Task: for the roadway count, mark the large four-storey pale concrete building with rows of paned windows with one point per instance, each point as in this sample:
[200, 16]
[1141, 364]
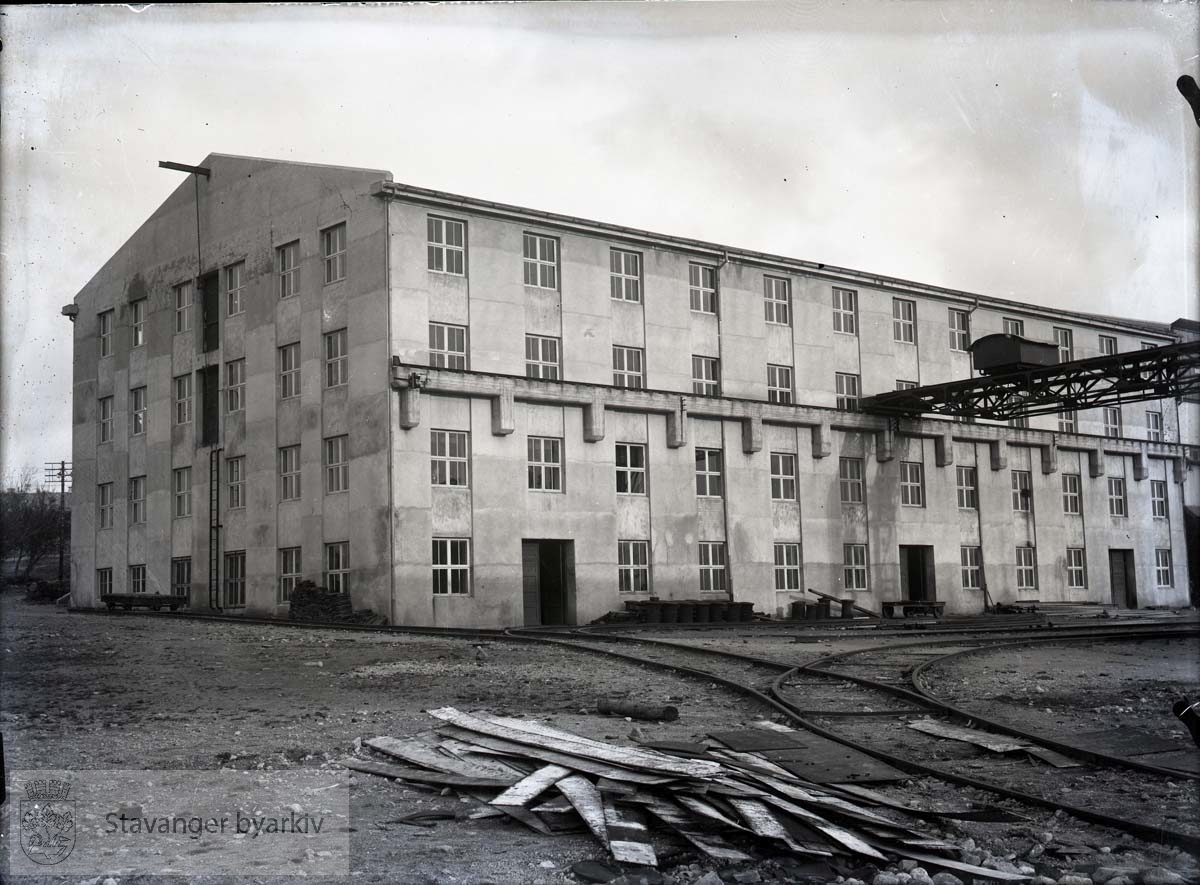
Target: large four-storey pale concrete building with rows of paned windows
[467, 413]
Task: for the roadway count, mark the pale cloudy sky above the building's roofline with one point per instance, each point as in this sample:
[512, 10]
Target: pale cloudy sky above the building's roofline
[1029, 150]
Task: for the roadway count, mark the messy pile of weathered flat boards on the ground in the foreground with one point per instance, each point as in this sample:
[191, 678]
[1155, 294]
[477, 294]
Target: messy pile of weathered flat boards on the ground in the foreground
[729, 804]
